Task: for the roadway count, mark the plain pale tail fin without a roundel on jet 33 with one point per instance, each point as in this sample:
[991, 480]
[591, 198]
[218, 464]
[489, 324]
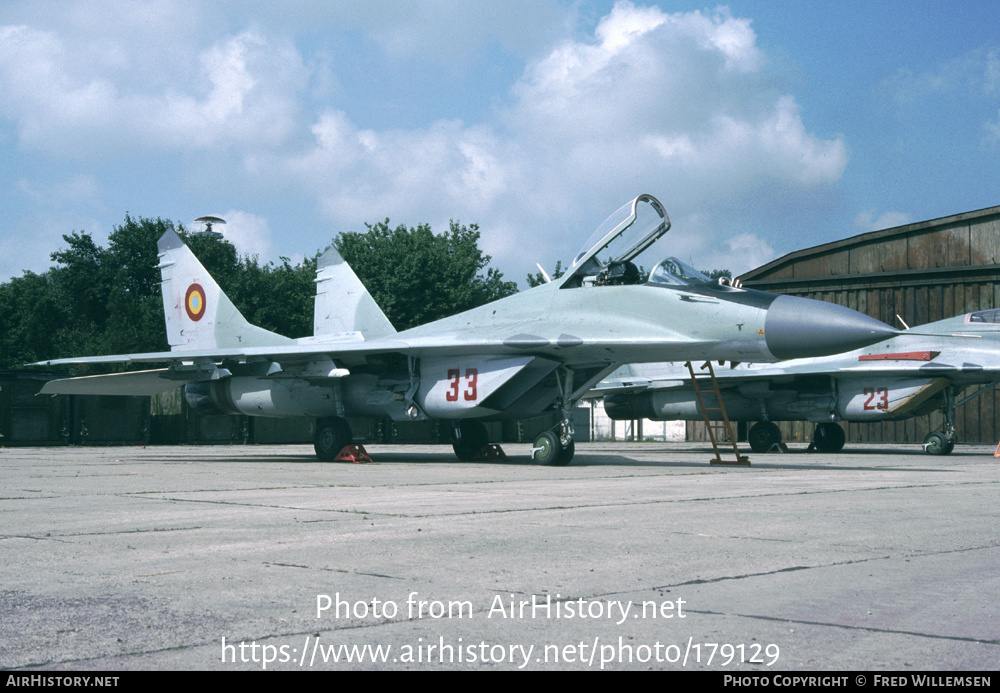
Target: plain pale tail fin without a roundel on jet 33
[343, 304]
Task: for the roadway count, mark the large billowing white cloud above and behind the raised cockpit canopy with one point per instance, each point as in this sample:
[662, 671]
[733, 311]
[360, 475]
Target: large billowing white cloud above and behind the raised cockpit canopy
[673, 104]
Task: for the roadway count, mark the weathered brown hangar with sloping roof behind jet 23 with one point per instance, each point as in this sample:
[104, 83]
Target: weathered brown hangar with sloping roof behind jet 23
[921, 272]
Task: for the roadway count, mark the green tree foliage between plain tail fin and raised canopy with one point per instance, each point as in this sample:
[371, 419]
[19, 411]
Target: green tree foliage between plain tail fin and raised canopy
[417, 276]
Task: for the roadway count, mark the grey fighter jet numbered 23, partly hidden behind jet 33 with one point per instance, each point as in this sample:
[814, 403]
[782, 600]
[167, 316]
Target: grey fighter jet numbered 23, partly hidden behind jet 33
[912, 374]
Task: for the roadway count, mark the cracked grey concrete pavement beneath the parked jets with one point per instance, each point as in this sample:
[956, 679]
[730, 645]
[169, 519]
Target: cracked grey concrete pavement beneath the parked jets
[636, 556]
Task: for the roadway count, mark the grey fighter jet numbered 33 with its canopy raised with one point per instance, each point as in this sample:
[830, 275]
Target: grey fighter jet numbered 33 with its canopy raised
[537, 351]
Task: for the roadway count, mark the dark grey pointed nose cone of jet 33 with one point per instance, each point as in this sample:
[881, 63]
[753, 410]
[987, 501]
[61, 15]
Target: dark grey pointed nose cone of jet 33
[799, 327]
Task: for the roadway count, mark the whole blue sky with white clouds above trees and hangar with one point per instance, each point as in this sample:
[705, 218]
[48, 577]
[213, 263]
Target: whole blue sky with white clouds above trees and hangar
[763, 126]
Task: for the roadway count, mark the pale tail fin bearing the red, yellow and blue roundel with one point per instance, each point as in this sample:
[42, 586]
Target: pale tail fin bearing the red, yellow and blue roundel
[198, 314]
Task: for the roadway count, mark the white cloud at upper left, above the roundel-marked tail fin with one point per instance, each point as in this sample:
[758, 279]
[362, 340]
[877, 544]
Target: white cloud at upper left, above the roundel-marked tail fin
[244, 93]
